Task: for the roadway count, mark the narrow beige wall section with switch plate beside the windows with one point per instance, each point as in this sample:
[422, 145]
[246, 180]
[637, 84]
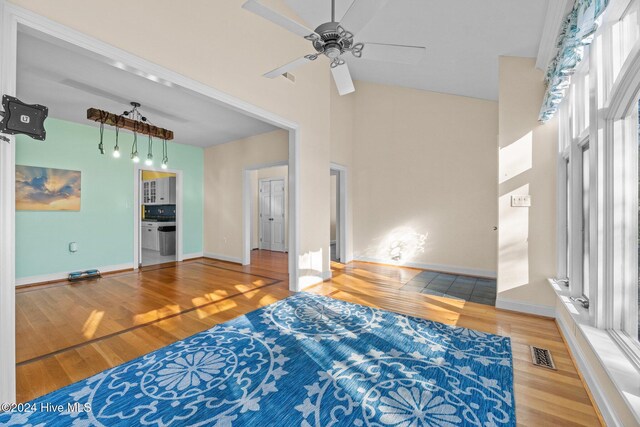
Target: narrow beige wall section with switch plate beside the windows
[528, 150]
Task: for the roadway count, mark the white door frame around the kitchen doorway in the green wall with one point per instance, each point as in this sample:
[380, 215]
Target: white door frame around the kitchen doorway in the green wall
[137, 220]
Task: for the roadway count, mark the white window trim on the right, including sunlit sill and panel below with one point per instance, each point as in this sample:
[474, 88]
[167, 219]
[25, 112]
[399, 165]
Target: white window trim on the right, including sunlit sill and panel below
[612, 134]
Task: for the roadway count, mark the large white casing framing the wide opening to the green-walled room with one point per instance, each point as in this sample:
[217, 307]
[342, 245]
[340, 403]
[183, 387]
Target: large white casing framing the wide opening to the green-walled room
[13, 16]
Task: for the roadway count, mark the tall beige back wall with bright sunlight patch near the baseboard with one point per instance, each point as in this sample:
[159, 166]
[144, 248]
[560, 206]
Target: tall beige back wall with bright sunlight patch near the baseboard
[424, 169]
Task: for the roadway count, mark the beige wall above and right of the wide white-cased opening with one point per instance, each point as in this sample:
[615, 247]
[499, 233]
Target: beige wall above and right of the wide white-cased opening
[198, 47]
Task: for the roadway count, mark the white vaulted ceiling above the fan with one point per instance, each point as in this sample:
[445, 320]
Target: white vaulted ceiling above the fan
[464, 39]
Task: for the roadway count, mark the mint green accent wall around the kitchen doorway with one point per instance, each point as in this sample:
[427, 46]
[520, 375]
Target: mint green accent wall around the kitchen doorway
[103, 228]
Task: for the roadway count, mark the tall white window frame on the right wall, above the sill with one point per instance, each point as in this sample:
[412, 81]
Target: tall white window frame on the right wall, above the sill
[604, 115]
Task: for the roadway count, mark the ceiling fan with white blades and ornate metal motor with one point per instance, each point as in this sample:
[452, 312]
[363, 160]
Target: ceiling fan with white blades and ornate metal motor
[334, 39]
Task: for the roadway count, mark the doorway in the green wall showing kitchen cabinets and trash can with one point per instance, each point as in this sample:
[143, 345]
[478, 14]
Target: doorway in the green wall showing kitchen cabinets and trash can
[157, 227]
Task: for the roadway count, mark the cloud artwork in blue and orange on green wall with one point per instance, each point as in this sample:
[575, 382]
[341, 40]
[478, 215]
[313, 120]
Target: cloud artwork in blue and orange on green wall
[47, 189]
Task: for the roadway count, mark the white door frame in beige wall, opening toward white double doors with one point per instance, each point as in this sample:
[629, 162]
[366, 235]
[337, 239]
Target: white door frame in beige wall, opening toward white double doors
[248, 202]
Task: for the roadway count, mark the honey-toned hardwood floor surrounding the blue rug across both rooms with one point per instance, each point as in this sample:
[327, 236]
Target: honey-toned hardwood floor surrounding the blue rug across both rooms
[67, 332]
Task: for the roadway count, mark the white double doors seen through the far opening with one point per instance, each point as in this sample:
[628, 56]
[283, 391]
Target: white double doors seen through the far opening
[272, 210]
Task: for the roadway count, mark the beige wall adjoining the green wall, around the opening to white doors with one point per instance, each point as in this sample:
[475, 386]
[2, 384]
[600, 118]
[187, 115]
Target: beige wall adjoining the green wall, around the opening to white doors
[224, 166]
